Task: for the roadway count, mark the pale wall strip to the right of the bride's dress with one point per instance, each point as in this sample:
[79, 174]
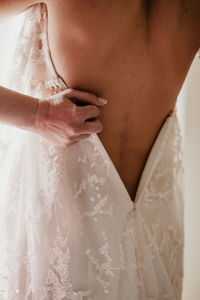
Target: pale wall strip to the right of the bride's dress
[190, 98]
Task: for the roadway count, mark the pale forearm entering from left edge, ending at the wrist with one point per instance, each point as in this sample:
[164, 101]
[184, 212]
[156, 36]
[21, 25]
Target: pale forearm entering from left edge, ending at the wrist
[17, 109]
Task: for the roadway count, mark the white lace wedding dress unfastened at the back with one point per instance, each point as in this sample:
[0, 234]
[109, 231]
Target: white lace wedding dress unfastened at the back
[68, 227]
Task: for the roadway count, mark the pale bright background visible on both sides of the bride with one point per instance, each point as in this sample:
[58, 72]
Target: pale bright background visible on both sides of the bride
[189, 115]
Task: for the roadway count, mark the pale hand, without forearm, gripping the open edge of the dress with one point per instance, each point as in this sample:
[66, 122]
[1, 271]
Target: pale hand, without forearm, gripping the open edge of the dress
[69, 117]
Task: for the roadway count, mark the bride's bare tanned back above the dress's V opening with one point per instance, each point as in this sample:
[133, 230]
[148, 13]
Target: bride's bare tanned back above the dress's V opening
[136, 54]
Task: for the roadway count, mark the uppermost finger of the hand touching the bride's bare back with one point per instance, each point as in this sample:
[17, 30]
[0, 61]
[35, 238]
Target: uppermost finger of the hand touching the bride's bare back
[84, 97]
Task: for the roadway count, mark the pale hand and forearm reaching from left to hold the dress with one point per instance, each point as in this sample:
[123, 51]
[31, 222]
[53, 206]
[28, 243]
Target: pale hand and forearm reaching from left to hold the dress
[57, 119]
